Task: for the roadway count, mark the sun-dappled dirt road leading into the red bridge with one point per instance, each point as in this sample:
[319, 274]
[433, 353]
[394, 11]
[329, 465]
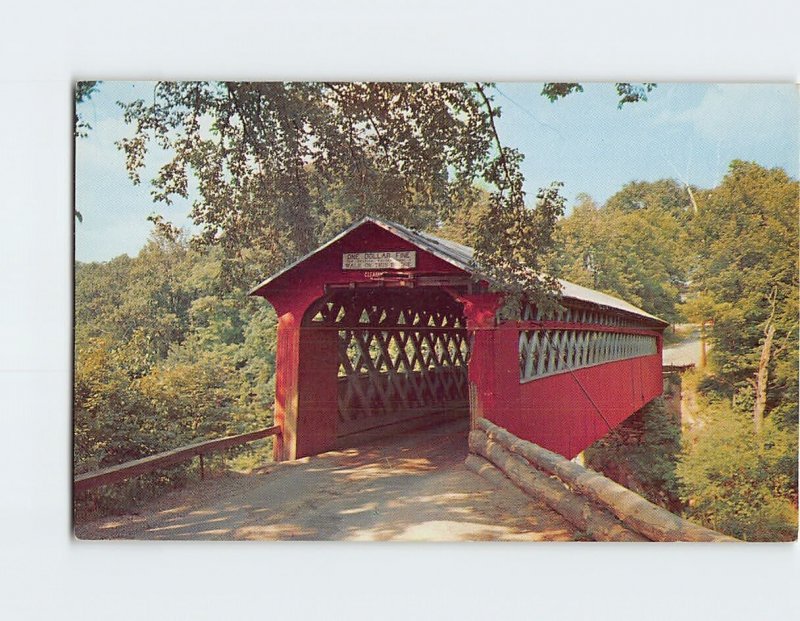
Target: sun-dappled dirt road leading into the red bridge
[411, 487]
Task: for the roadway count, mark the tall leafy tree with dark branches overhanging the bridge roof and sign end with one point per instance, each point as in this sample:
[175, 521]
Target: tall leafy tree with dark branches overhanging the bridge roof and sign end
[278, 163]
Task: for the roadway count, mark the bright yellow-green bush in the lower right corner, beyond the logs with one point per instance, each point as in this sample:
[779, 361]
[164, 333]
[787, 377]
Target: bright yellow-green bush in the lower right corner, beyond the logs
[738, 483]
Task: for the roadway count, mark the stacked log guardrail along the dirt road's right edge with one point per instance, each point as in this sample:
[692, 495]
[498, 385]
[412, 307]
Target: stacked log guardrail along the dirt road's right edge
[603, 509]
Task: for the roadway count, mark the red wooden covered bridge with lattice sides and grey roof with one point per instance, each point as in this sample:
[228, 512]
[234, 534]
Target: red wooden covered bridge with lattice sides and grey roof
[383, 328]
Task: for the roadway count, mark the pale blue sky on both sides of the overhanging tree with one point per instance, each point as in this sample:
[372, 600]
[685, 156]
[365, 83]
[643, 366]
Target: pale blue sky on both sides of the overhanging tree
[689, 132]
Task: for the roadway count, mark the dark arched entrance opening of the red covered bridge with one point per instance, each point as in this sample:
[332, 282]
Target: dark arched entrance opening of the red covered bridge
[401, 357]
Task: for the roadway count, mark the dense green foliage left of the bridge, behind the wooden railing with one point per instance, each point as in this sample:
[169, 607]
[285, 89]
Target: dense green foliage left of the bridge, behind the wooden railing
[166, 354]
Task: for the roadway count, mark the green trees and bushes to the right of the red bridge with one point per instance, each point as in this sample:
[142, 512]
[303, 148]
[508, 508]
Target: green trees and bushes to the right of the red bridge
[727, 256]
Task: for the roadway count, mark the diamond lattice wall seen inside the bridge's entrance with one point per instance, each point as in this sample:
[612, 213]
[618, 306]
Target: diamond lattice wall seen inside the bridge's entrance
[399, 352]
